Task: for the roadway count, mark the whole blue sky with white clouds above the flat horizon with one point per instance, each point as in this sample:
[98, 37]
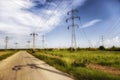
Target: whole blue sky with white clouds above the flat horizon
[20, 18]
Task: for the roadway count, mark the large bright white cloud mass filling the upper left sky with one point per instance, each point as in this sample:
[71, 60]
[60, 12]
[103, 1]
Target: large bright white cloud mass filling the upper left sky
[14, 19]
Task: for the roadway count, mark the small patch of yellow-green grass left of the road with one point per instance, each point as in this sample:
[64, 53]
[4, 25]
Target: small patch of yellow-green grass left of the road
[6, 53]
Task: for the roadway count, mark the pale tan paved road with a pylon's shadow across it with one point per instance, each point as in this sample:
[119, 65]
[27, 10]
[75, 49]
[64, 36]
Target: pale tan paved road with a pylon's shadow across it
[23, 66]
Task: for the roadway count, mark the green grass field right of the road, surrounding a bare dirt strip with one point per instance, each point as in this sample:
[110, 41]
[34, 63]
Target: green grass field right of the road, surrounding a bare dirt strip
[75, 63]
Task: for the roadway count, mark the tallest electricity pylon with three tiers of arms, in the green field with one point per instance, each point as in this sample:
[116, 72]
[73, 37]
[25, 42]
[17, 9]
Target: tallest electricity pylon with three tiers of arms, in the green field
[72, 18]
